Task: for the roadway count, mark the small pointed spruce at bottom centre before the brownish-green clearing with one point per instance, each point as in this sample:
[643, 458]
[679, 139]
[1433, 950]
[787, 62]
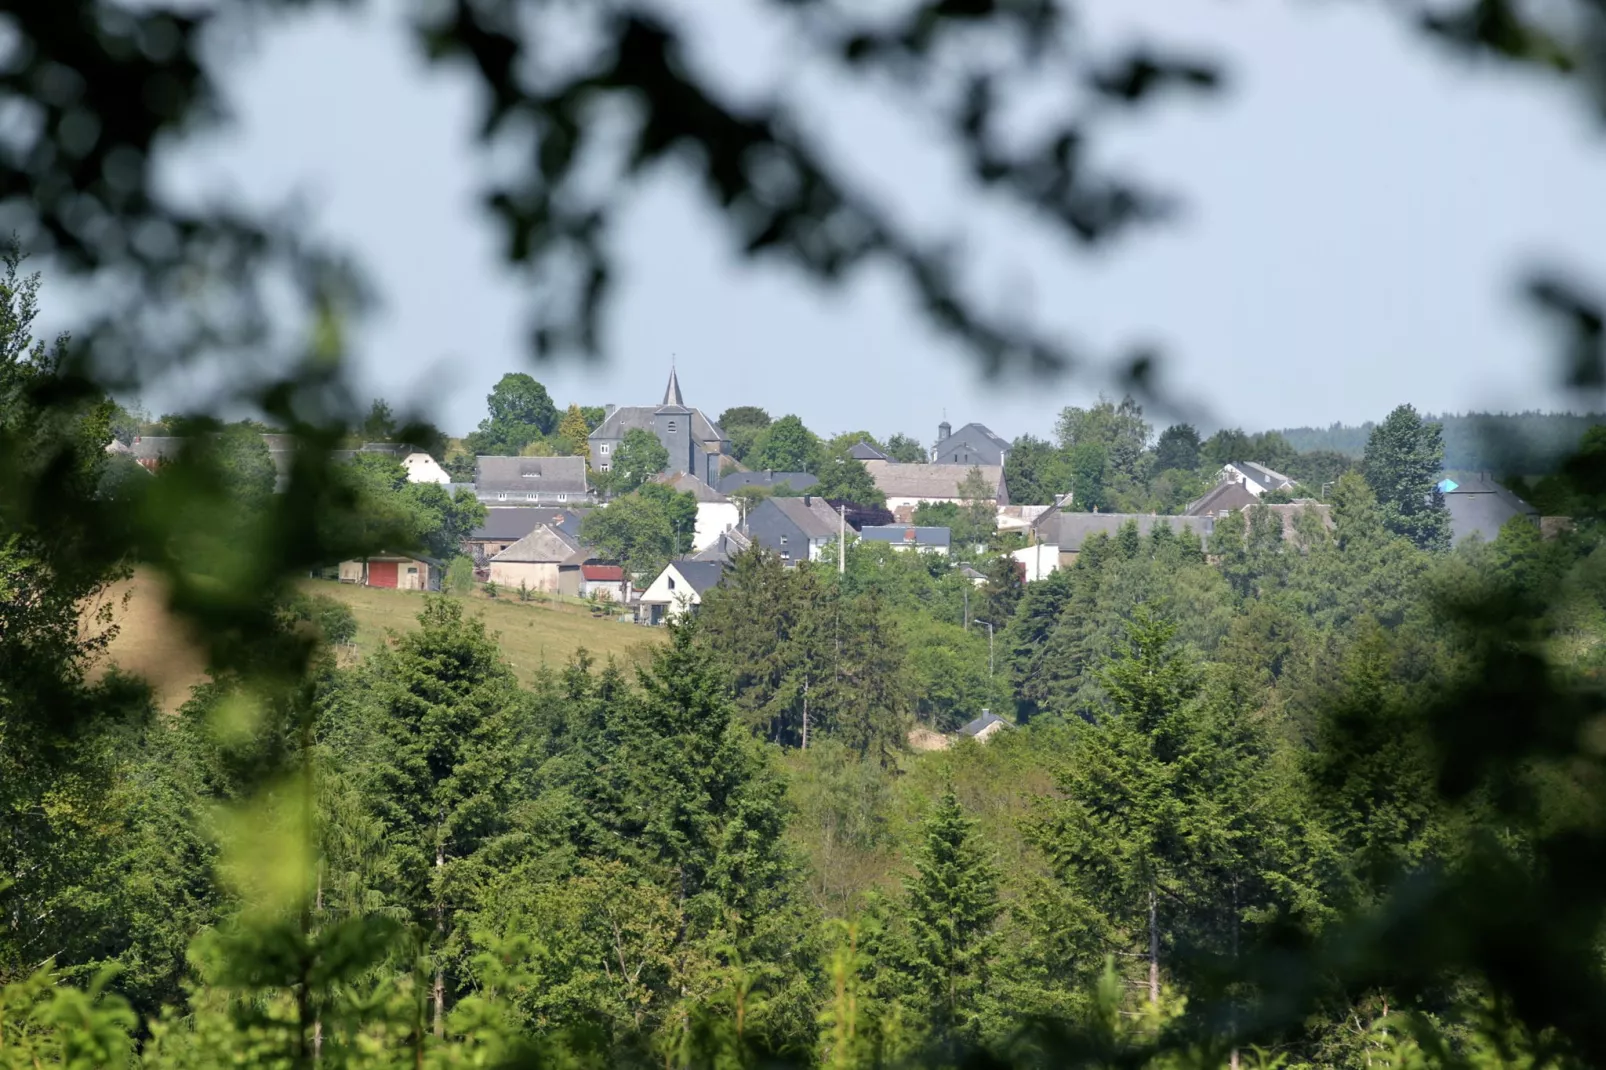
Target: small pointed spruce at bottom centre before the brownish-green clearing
[953, 905]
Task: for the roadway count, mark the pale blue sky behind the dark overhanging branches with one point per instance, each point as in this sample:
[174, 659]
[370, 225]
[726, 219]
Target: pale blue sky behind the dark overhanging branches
[1359, 210]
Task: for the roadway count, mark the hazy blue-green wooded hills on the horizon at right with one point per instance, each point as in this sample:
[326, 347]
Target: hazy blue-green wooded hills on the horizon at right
[1514, 444]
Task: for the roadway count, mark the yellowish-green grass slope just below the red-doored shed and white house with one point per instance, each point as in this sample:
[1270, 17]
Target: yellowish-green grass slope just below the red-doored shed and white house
[531, 635]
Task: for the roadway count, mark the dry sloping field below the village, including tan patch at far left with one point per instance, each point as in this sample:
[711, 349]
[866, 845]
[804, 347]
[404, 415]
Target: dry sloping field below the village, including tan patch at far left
[153, 645]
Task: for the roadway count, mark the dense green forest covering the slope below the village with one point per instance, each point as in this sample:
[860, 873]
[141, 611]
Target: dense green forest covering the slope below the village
[1306, 794]
